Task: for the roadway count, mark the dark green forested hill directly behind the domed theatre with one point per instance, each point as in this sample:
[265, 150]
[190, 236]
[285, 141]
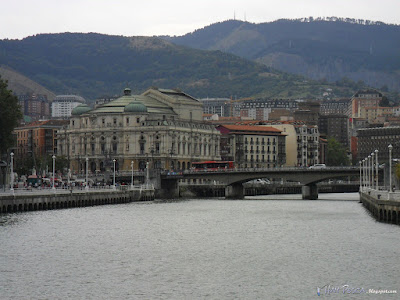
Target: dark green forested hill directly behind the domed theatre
[93, 65]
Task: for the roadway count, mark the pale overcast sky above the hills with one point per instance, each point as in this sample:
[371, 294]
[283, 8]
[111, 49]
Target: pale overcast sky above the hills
[22, 18]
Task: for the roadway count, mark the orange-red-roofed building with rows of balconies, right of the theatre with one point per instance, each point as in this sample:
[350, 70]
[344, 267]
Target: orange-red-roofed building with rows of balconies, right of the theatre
[252, 146]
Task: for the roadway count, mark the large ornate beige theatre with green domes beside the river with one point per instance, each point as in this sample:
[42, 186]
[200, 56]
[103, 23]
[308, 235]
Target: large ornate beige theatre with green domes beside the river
[161, 127]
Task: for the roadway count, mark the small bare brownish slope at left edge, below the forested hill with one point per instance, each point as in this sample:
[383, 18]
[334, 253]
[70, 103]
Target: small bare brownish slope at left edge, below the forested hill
[20, 84]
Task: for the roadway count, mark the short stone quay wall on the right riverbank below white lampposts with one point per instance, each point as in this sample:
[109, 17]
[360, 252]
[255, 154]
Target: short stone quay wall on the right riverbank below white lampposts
[383, 205]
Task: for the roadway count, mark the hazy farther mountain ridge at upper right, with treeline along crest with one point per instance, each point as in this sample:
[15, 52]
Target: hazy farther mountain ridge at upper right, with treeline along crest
[330, 48]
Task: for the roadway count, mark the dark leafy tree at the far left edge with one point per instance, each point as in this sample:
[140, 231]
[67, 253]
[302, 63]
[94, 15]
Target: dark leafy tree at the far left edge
[10, 114]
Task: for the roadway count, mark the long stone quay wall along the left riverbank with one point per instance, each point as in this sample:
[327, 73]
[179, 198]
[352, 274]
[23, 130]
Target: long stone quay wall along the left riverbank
[31, 200]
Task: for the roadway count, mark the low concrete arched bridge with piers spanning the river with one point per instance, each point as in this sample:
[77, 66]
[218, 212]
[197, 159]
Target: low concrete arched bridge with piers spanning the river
[234, 179]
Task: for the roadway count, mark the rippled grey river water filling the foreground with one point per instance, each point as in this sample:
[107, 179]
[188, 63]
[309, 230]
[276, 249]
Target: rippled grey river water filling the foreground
[264, 247]
